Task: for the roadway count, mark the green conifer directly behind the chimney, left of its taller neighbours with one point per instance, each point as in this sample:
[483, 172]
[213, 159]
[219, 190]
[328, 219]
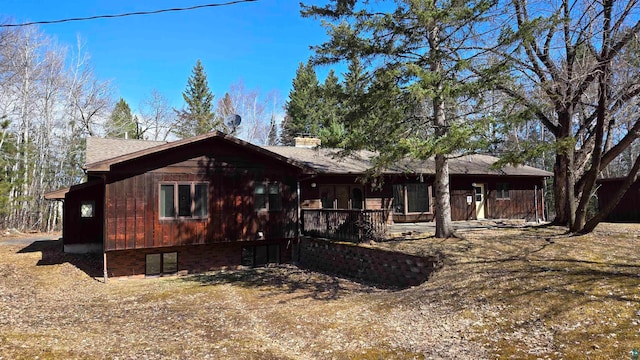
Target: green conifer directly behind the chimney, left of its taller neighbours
[302, 106]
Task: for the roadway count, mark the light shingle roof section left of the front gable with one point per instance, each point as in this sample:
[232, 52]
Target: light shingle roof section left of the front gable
[99, 149]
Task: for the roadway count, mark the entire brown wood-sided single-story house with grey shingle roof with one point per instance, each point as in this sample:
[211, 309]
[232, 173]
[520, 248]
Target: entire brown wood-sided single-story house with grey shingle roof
[215, 201]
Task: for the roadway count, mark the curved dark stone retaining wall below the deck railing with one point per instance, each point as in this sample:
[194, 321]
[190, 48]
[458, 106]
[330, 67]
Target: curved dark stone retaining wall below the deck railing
[381, 267]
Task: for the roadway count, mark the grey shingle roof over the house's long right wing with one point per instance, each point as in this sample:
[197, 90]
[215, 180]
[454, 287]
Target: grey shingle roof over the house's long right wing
[328, 161]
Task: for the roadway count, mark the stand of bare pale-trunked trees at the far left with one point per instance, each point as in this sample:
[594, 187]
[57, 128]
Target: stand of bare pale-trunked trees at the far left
[42, 104]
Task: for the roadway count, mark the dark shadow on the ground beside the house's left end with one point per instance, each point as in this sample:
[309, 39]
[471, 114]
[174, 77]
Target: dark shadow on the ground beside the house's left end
[52, 254]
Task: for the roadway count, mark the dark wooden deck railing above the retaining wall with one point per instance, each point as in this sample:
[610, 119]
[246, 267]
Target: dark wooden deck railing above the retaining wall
[345, 225]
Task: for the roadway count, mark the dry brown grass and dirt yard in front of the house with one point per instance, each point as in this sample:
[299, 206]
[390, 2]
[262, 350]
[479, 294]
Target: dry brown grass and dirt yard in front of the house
[509, 292]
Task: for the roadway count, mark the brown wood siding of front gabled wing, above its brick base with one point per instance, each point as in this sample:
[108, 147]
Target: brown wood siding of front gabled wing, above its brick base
[133, 220]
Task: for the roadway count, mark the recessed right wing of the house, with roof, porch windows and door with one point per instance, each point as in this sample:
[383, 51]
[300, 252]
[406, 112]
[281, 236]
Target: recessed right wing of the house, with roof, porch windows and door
[478, 191]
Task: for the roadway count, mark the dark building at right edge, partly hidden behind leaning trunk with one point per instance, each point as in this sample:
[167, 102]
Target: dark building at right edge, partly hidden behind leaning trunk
[628, 209]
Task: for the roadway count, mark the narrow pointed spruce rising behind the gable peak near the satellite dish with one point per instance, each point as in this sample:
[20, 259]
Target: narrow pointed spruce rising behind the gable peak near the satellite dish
[198, 116]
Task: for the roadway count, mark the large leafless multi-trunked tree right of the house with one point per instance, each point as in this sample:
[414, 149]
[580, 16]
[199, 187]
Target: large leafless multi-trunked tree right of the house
[573, 55]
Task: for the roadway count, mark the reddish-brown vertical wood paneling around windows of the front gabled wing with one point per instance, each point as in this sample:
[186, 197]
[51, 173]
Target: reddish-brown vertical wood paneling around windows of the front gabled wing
[133, 209]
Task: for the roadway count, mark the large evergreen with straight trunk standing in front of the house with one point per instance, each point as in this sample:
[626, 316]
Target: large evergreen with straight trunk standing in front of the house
[423, 49]
